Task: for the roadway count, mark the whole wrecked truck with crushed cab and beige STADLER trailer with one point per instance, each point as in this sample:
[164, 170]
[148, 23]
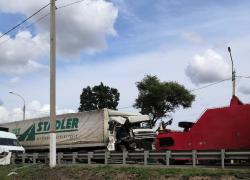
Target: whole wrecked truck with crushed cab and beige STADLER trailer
[90, 130]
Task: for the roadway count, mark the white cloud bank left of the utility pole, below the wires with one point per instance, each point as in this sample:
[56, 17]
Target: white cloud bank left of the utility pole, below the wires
[16, 54]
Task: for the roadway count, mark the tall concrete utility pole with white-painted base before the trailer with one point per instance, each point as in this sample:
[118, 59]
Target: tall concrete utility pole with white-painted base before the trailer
[52, 162]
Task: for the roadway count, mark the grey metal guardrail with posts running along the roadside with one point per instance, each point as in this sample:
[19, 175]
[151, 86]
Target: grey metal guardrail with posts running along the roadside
[193, 155]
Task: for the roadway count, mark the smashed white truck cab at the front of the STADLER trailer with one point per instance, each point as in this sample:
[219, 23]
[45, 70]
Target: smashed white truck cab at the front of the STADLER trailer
[130, 131]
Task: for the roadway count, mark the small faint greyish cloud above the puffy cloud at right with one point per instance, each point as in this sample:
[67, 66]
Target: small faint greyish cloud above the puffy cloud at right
[192, 37]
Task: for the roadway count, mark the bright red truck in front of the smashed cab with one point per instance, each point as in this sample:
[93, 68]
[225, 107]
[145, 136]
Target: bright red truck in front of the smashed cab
[217, 128]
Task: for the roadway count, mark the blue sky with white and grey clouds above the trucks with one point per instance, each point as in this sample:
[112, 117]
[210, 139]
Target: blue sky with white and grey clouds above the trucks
[118, 42]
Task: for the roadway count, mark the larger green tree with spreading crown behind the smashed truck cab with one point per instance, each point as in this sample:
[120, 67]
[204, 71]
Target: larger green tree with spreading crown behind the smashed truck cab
[160, 99]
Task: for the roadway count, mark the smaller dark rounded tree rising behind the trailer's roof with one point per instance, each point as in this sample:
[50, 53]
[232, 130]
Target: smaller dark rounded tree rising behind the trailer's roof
[98, 97]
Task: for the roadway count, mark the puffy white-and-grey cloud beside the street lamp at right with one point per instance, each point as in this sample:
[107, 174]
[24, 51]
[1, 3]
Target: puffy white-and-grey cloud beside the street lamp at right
[208, 68]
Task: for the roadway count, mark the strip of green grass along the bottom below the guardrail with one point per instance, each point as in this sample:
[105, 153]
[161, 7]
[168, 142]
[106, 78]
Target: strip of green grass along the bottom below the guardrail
[108, 172]
